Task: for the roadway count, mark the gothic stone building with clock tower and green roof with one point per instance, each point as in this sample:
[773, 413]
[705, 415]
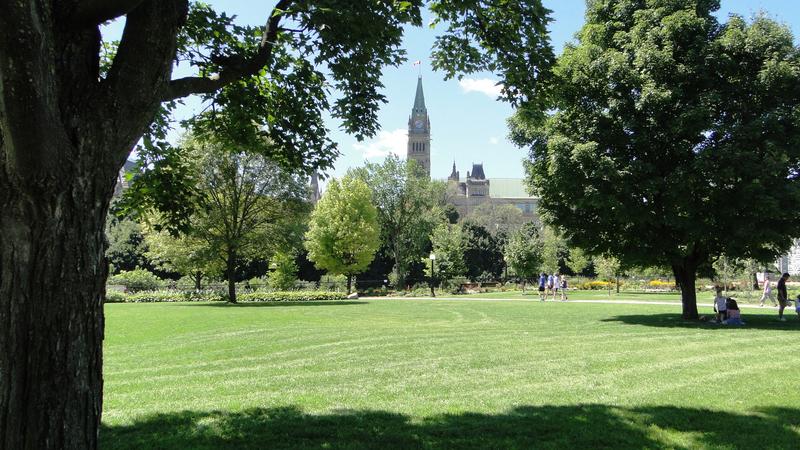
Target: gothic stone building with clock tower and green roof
[473, 190]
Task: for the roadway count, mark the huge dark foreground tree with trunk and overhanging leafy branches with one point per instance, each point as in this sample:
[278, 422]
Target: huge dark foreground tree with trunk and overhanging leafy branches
[72, 108]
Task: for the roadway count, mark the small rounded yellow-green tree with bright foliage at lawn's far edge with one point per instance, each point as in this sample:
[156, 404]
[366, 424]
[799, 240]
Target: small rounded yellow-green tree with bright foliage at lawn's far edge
[343, 233]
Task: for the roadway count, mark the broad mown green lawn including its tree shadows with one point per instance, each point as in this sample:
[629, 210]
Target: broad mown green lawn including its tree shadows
[445, 374]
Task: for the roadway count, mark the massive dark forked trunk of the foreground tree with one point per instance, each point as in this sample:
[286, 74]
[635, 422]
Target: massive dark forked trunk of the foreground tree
[65, 131]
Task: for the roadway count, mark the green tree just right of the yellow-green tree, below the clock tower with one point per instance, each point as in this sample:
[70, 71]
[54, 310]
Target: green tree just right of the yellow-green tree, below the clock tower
[409, 207]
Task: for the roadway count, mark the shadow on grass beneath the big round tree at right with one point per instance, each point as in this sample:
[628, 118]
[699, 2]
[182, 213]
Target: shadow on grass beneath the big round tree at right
[758, 322]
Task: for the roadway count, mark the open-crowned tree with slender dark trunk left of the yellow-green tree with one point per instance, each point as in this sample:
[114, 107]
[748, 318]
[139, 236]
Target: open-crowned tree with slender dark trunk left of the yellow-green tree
[249, 207]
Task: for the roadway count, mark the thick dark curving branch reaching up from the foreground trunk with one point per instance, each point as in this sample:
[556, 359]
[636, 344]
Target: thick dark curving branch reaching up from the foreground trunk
[183, 87]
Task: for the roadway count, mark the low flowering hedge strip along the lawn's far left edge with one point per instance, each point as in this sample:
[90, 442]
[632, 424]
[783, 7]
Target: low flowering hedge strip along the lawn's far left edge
[211, 296]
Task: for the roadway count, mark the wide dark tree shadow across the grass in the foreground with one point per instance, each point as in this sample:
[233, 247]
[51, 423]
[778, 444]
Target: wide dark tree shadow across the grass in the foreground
[580, 426]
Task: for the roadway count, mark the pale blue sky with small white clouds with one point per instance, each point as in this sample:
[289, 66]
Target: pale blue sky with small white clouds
[467, 124]
